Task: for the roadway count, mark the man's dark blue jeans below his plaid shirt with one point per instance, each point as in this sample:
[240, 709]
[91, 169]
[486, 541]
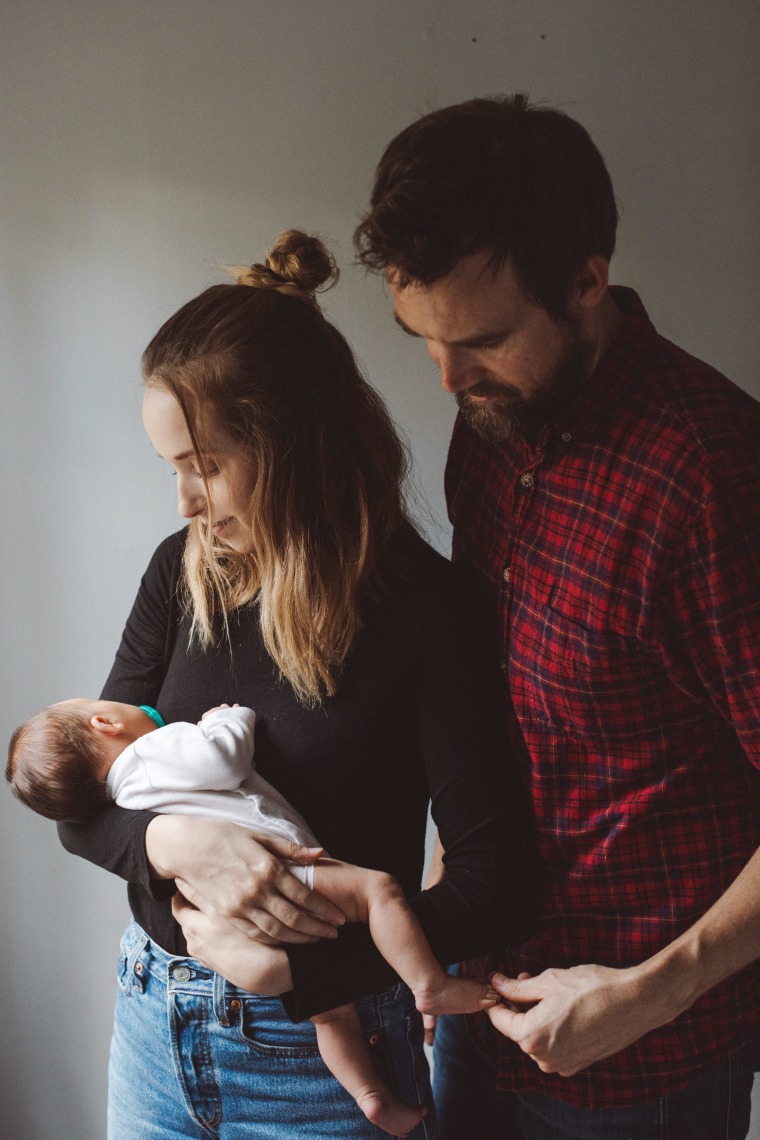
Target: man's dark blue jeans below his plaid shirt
[716, 1106]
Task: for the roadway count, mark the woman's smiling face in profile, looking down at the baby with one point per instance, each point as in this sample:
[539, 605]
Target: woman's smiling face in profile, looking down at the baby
[231, 474]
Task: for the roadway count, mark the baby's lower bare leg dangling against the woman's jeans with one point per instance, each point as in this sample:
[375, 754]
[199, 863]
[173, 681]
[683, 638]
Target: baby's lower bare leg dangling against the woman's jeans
[344, 1051]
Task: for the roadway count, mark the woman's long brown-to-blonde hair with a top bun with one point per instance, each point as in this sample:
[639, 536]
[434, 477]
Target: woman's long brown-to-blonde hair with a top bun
[269, 373]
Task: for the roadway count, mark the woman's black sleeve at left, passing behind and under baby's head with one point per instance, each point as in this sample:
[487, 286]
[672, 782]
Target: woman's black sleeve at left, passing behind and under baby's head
[116, 838]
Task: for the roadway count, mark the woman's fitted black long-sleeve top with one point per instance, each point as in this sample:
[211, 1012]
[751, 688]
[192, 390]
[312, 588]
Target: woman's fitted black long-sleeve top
[420, 715]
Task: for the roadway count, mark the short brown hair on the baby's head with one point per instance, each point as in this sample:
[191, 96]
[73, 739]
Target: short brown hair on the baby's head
[53, 767]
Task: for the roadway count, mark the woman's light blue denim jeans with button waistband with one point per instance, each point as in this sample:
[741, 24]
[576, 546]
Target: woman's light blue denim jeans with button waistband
[194, 1057]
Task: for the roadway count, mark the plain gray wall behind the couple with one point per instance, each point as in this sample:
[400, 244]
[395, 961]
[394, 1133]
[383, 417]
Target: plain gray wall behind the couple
[146, 143]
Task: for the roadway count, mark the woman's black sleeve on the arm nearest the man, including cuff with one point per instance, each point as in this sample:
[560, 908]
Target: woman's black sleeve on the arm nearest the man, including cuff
[491, 892]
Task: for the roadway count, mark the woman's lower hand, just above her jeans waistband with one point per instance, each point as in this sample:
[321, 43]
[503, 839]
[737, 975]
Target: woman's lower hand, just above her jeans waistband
[220, 947]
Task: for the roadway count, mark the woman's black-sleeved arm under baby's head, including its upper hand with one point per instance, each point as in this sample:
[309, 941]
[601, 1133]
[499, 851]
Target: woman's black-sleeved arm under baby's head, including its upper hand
[224, 870]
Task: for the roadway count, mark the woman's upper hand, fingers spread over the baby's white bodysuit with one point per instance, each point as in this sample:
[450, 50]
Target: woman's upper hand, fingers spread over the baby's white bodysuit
[231, 874]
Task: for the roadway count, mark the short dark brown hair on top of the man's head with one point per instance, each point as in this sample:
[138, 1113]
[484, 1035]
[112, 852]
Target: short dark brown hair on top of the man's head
[524, 182]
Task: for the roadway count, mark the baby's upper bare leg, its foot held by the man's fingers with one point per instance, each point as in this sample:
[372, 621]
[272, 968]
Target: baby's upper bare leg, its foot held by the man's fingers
[375, 898]
